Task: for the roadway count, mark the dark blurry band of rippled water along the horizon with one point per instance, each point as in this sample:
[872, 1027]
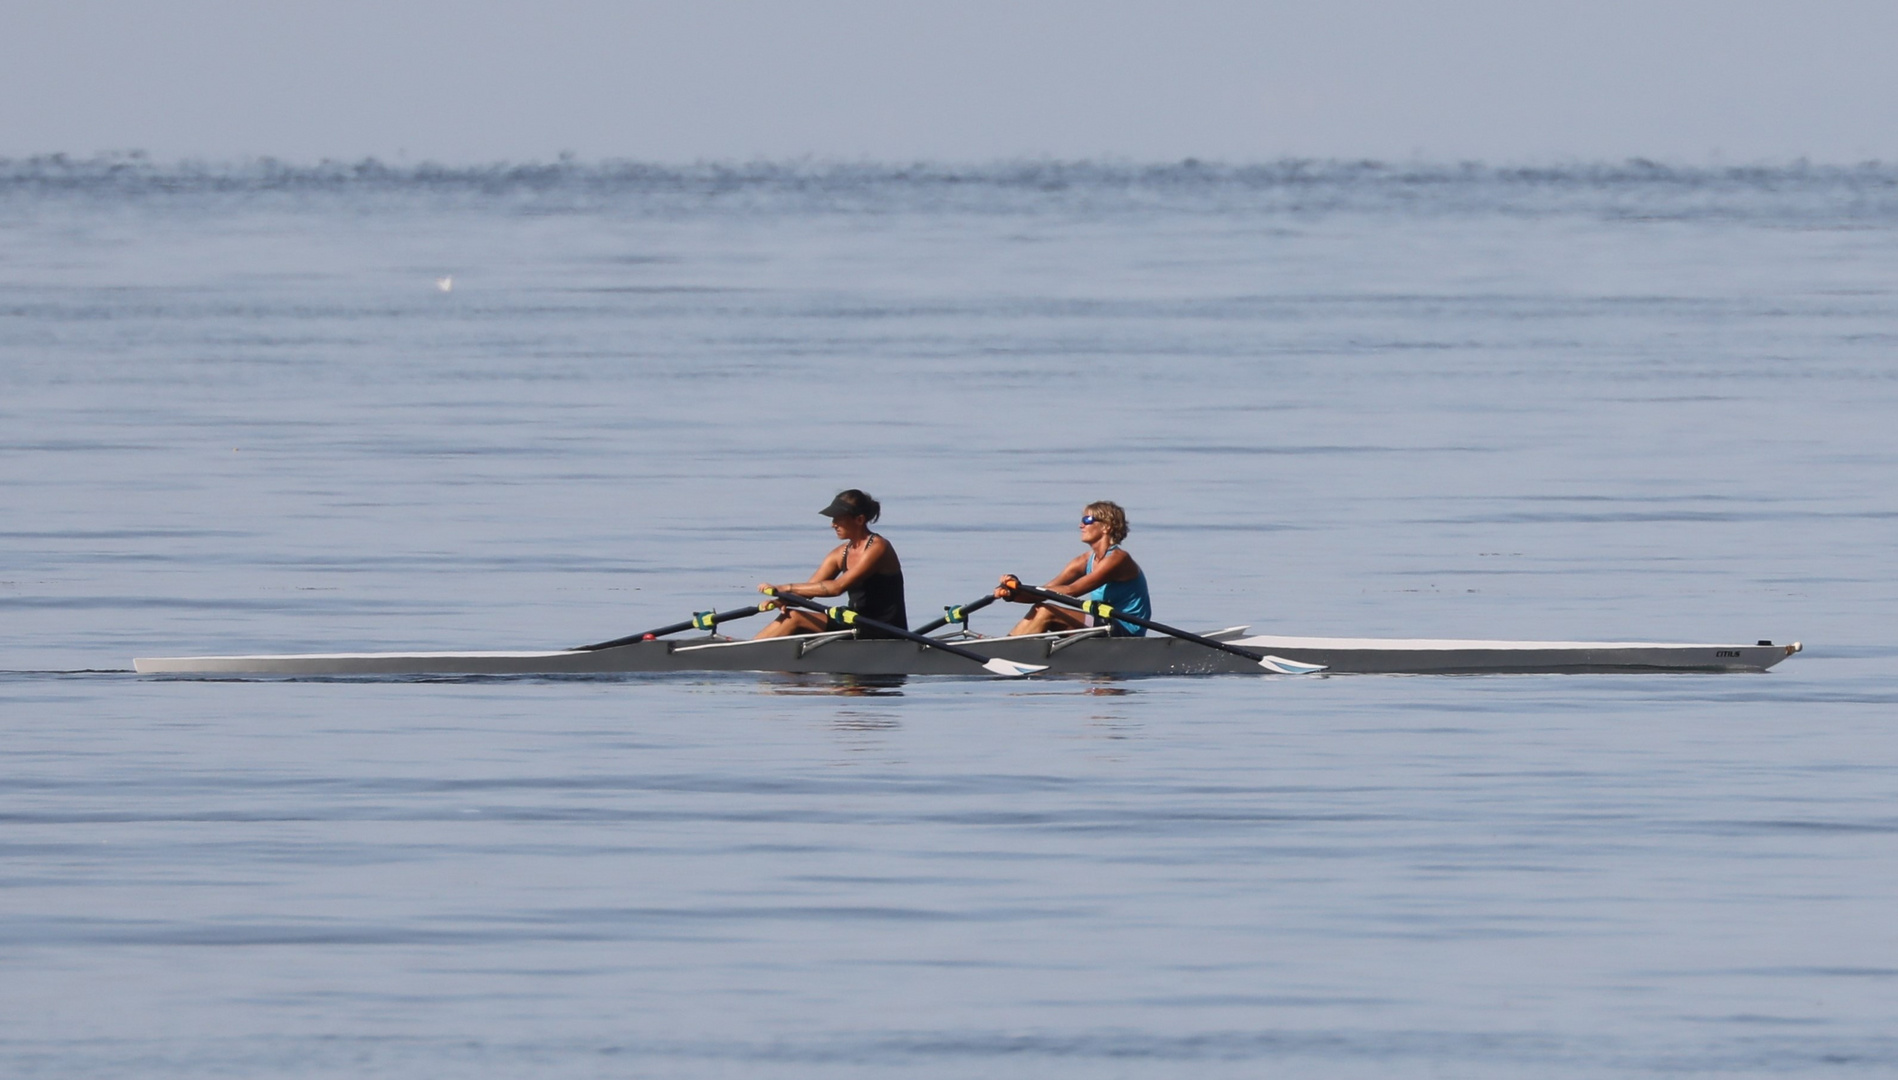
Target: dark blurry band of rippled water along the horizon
[1305, 183]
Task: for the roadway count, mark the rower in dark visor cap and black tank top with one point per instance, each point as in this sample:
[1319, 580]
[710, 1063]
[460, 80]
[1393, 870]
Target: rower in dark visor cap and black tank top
[865, 567]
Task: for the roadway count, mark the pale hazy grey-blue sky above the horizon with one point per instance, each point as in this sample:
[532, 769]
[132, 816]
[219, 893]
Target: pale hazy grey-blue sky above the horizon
[479, 81]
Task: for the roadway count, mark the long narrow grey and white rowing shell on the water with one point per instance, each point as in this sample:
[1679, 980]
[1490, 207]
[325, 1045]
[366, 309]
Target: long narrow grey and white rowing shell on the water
[1064, 654]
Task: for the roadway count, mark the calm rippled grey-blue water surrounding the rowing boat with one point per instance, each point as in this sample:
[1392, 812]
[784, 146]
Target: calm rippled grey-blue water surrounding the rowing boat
[240, 415]
